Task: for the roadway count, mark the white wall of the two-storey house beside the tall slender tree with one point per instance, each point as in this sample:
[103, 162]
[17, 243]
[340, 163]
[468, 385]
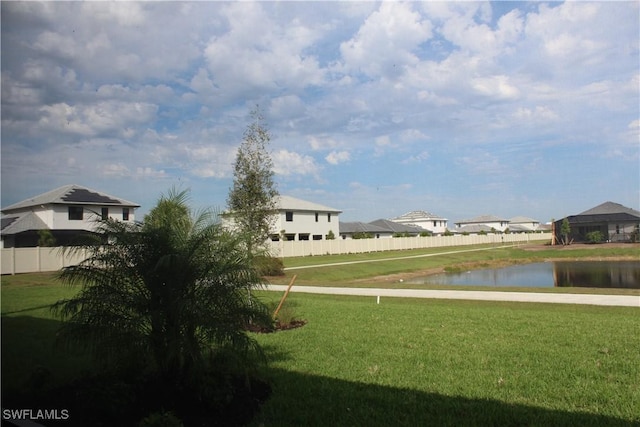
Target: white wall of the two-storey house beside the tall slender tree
[304, 224]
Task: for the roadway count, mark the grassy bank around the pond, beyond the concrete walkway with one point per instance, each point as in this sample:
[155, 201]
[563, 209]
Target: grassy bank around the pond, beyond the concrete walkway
[372, 268]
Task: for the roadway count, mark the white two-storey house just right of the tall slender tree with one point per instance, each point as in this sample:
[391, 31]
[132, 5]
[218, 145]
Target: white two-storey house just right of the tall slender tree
[302, 220]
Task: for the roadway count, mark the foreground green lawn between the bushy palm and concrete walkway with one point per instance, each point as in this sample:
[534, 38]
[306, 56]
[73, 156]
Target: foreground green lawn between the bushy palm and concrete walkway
[410, 362]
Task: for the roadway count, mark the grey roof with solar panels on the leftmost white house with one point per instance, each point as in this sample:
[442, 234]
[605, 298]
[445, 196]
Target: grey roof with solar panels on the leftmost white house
[69, 195]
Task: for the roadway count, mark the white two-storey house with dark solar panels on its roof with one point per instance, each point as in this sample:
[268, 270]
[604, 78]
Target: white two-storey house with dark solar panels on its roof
[66, 212]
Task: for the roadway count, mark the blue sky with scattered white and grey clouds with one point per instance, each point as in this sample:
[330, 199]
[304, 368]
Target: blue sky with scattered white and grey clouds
[460, 109]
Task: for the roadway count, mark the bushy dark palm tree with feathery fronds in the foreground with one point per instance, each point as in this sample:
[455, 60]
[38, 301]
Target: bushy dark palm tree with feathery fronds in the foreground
[169, 297]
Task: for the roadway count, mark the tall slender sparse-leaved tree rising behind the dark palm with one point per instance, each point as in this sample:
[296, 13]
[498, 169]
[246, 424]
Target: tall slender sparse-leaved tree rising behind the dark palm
[252, 199]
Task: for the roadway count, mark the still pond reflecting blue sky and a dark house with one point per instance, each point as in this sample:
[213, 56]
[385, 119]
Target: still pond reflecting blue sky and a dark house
[591, 274]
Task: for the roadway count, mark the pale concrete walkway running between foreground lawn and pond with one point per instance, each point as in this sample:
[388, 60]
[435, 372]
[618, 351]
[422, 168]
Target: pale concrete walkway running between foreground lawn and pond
[588, 299]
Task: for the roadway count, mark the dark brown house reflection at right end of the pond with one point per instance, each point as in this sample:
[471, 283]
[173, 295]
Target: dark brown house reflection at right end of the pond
[622, 274]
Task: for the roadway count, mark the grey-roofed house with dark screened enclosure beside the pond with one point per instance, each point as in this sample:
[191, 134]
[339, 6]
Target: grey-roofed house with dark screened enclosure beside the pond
[616, 222]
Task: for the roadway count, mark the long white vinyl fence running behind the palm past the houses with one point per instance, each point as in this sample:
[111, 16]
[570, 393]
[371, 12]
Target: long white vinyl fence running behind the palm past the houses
[33, 260]
